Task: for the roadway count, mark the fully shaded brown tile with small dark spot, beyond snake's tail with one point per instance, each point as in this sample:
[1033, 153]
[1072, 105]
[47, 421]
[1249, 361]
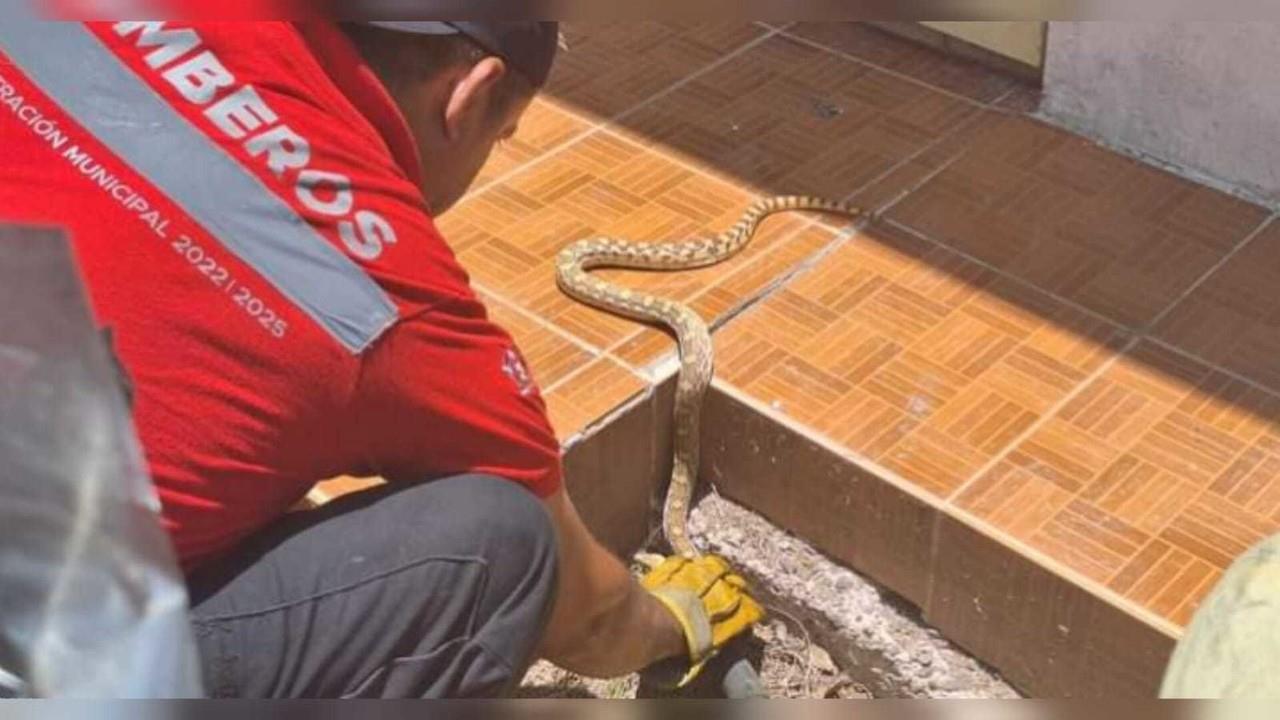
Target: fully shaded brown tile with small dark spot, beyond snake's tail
[789, 119]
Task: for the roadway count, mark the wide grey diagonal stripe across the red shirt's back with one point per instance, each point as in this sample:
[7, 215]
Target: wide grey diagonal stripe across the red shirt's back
[127, 116]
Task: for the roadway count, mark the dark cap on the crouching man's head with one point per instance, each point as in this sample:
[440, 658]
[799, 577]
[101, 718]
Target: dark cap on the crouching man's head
[531, 48]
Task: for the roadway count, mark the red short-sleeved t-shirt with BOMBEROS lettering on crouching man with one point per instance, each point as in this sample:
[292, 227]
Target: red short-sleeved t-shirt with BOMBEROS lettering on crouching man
[244, 203]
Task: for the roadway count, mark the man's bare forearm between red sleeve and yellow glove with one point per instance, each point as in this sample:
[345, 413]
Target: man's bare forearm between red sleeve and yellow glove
[605, 625]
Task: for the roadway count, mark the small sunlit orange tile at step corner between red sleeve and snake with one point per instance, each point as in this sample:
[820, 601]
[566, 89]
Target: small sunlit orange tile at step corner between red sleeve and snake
[589, 397]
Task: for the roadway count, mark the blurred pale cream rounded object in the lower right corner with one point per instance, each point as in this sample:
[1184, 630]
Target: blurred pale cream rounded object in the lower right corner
[1232, 649]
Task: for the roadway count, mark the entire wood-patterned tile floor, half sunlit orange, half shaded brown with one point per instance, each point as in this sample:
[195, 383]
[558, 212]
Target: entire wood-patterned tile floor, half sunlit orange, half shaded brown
[1071, 348]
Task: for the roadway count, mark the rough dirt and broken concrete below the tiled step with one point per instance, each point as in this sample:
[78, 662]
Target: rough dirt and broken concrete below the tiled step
[831, 634]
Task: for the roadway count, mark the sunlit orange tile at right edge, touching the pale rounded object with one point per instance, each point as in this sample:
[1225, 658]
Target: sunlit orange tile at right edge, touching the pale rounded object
[1154, 479]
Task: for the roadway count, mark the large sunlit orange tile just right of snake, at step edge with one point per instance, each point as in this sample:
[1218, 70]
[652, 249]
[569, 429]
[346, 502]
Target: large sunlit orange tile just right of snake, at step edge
[912, 357]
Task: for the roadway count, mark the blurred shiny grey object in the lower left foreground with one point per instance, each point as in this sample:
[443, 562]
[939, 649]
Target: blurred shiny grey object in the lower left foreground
[92, 600]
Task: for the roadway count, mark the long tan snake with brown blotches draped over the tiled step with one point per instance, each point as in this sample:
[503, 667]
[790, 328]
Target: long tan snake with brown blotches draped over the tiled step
[694, 340]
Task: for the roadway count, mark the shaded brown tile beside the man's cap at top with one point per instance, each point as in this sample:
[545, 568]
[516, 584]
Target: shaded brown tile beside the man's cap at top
[612, 67]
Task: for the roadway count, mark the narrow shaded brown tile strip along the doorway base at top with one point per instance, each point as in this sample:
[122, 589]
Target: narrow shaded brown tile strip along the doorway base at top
[913, 60]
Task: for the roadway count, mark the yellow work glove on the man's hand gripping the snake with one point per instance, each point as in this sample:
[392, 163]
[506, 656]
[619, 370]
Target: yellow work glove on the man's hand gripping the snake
[710, 601]
